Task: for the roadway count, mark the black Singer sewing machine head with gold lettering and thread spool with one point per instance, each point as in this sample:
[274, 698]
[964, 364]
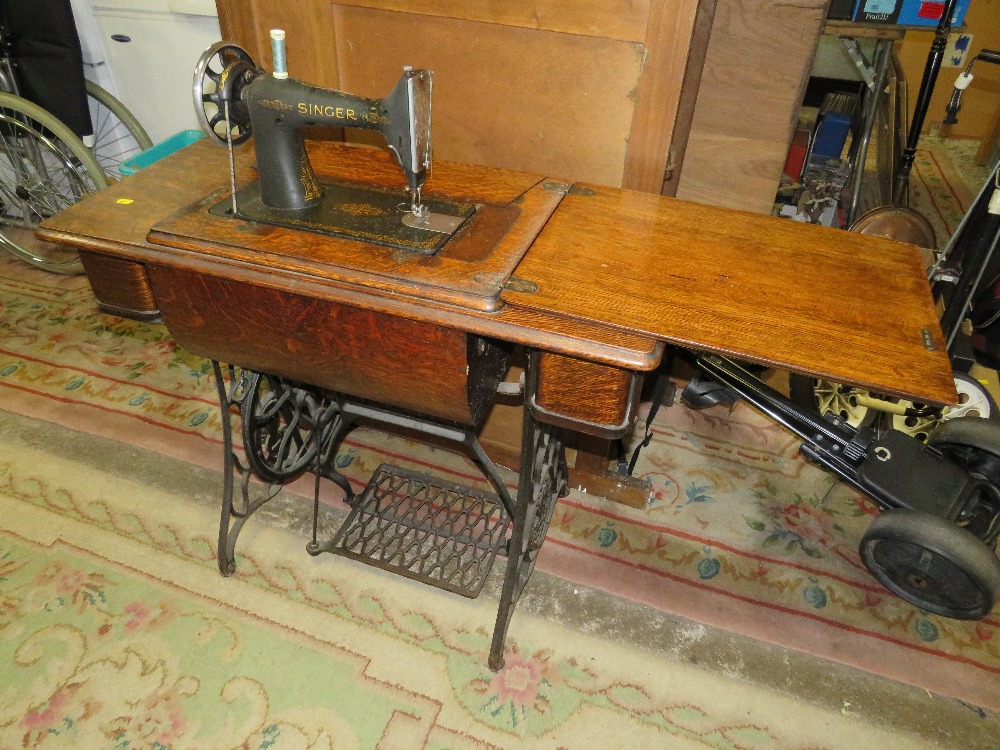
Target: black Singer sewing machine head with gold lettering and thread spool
[235, 99]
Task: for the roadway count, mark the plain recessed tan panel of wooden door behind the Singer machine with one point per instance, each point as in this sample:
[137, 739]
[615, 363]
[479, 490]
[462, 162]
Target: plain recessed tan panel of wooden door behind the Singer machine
[506, 96]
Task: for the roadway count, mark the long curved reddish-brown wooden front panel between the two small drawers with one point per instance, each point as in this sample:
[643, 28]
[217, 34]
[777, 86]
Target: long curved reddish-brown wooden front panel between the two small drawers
[432, 370]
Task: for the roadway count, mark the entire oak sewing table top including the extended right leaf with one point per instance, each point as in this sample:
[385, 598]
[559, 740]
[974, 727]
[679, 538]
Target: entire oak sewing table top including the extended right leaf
[599, 273]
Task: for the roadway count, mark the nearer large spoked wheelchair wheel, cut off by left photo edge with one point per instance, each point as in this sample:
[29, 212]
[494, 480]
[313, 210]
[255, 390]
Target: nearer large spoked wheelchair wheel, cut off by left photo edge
[44, 168]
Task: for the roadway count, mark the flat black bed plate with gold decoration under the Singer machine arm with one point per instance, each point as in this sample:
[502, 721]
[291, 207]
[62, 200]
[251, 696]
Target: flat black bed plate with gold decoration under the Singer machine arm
[356, 212]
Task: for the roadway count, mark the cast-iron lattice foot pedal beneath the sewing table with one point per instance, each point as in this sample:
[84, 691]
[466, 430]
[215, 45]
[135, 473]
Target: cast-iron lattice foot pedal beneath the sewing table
[415, 525]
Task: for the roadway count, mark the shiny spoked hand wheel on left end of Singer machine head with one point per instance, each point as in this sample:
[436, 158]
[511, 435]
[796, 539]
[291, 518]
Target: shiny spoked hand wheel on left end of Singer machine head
[221, 72]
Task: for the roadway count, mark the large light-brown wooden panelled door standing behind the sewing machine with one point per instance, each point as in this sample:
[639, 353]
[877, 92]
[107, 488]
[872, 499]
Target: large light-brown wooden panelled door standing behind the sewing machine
[585, 89]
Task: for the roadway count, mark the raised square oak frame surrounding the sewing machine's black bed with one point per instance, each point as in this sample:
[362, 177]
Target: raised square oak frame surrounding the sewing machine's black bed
[469, 271]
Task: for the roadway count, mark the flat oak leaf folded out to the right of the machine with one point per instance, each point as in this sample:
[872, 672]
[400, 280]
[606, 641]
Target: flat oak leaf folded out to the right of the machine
[848, 307]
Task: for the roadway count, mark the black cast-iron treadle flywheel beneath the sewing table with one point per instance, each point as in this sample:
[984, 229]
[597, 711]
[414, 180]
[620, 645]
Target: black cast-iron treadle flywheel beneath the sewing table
[282, 428]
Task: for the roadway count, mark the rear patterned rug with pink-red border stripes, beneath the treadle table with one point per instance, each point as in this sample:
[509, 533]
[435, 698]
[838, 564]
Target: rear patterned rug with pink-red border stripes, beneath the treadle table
[741, 533]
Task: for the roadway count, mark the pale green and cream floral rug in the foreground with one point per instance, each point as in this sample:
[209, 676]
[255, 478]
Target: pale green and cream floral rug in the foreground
[116, 631]
